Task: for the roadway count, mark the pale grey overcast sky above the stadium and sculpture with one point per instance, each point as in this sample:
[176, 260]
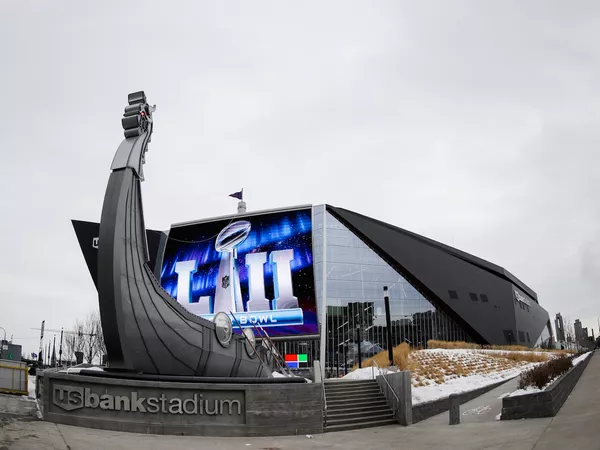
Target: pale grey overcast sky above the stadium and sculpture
[473, 123]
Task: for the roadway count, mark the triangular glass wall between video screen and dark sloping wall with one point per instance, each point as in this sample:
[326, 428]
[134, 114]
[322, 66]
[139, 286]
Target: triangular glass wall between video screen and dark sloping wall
[355, 313]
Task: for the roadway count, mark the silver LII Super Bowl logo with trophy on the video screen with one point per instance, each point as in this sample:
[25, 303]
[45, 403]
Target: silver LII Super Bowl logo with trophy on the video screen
[283, 309]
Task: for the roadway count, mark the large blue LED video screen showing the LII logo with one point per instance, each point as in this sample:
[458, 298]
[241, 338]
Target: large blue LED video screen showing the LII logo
[257, 269]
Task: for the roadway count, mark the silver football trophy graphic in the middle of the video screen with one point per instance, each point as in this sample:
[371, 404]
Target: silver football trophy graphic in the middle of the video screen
[228, 296]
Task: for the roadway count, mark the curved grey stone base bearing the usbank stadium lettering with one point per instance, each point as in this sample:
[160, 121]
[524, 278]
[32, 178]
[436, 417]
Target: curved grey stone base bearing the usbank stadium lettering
[159, 407]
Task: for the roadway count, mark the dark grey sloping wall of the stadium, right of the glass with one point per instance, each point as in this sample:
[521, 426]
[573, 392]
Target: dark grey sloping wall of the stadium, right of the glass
[435, 270]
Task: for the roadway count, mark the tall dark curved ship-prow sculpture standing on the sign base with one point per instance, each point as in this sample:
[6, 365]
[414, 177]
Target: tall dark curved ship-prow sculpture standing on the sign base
[145, 329]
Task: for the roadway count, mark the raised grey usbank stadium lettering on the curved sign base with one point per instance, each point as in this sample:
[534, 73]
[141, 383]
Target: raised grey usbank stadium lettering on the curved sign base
[71, 398]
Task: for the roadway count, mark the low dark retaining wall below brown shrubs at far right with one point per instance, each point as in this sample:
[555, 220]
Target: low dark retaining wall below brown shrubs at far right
[545, 403]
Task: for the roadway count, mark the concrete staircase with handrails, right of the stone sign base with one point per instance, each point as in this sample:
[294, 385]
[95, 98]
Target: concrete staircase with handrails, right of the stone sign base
[355, 404]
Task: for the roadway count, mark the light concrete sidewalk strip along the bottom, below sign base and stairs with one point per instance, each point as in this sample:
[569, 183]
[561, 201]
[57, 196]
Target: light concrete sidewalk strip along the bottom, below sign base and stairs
[519, 435]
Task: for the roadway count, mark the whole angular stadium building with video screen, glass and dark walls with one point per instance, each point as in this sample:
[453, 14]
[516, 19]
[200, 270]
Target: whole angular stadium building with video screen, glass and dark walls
[313, 276]
